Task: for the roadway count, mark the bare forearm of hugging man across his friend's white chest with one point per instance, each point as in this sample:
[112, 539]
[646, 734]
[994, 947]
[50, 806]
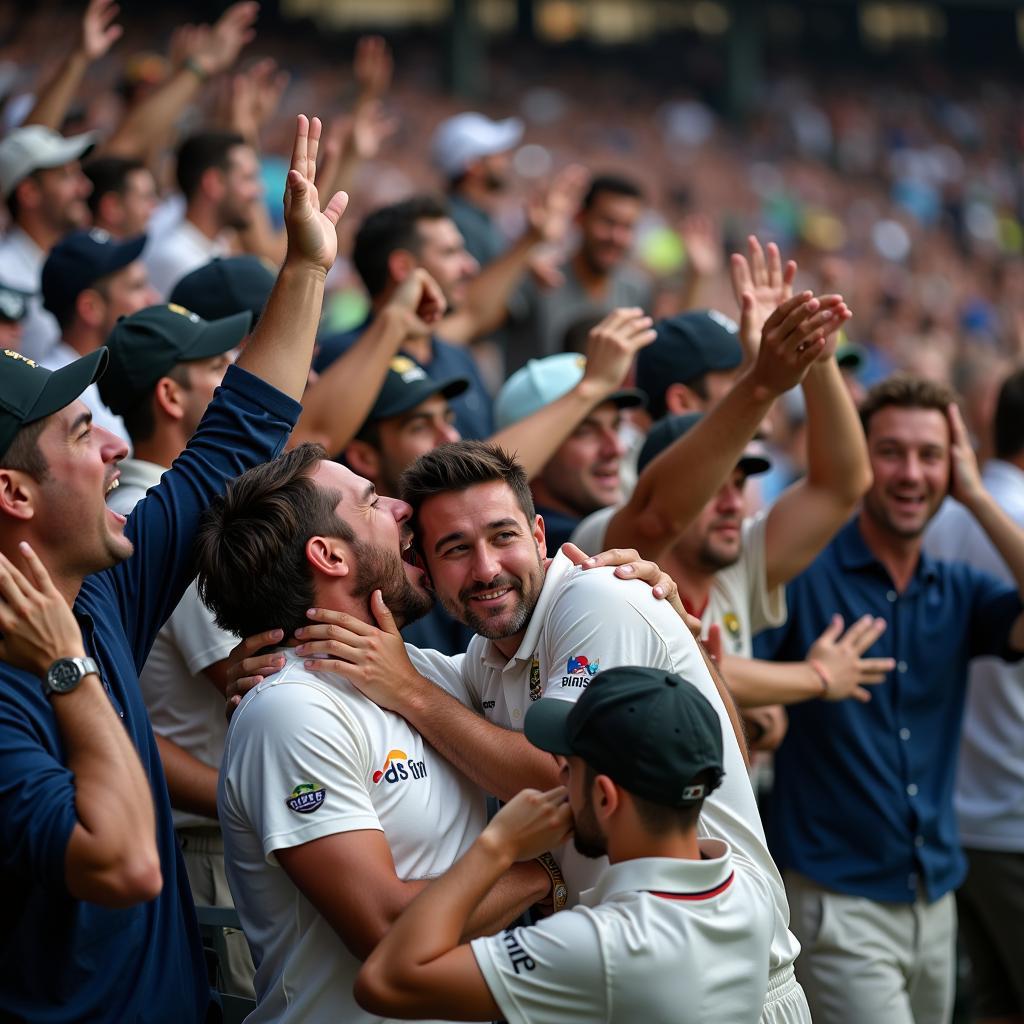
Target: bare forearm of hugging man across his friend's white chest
[500, 761]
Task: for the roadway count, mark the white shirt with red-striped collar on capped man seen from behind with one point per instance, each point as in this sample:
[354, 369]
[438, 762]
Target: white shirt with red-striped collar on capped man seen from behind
[658, 940]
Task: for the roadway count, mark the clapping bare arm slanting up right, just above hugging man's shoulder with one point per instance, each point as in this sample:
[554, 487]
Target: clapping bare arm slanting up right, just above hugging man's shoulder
[680, 482]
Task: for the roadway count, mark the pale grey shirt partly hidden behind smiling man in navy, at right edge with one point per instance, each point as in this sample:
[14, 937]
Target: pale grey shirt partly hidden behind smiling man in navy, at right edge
[990, 796]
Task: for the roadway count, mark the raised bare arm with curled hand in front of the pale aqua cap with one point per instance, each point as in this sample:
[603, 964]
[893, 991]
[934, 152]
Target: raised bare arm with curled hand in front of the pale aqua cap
[612, 348]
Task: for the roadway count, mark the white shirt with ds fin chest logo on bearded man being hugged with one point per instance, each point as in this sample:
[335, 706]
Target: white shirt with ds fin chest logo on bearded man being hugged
[308, 756]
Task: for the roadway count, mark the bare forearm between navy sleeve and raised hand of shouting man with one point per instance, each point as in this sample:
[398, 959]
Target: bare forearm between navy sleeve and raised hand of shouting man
[281, 349]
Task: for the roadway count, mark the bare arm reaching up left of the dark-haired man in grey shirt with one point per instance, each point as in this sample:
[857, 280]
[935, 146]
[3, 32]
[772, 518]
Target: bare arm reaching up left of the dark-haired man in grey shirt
[488, 296]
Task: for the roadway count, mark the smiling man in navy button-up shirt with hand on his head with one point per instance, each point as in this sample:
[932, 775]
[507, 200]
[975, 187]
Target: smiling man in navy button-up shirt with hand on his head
[886, 770]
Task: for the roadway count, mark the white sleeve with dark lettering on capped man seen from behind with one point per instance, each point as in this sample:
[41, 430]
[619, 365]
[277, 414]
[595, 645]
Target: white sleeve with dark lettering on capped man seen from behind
[552, 971]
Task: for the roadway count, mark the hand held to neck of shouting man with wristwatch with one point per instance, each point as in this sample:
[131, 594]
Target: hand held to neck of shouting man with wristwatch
[36, 623]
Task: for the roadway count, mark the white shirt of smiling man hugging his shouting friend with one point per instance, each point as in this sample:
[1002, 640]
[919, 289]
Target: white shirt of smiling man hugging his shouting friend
[588, 621]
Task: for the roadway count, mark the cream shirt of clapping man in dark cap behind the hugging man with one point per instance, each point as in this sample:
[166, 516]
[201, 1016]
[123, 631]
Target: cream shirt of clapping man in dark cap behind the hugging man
[740, 601]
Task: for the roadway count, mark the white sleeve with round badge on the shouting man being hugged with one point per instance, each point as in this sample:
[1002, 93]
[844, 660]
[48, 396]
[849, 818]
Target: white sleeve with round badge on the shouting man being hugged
[298, 767]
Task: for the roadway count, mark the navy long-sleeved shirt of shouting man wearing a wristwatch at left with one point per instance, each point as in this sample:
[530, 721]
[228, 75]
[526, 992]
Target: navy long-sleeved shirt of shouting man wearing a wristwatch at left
[66, 960]
